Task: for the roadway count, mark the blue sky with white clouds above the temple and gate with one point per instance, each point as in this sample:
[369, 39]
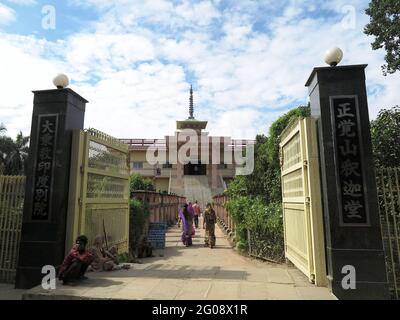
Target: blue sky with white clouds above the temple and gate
[134, 60]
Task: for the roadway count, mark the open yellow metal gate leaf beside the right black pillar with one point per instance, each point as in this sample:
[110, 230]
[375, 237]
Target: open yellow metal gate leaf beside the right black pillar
[302, 209]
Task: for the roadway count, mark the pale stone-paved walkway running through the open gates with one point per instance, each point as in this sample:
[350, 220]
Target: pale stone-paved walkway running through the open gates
[194, 273]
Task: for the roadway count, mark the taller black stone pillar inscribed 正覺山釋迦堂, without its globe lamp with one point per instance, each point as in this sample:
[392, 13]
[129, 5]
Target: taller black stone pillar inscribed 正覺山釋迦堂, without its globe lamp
[353, 235]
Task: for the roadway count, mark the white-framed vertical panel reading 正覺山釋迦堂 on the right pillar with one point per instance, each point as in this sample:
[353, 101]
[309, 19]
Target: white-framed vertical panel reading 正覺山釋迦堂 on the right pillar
[347, 139]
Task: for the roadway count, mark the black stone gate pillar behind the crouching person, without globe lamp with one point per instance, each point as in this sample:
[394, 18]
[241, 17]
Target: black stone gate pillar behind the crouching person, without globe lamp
[55, 114]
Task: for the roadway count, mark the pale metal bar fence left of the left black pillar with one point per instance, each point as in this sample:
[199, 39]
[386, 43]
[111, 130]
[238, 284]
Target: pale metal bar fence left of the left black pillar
[12, 190]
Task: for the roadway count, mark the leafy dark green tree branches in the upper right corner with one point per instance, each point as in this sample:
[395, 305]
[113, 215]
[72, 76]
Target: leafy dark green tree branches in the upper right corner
[385, 26]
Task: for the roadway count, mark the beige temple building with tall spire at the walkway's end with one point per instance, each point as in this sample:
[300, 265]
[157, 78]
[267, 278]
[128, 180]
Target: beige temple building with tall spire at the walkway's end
[190, 163]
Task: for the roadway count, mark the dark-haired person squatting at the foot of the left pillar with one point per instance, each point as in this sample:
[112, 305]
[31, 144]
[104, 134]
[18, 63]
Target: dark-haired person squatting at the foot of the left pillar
[76, 262]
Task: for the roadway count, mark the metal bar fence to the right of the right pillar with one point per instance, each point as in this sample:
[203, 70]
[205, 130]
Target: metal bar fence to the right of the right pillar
[388, 182]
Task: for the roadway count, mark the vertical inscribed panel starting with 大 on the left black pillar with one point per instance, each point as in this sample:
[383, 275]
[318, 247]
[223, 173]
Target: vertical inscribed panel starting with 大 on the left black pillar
[44, 166]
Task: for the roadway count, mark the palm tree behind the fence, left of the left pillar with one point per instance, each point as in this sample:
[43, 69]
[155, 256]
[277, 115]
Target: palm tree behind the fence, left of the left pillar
[16, 157]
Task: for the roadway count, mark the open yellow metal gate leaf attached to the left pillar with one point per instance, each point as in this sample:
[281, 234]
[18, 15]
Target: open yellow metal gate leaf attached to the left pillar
[99, 189]
